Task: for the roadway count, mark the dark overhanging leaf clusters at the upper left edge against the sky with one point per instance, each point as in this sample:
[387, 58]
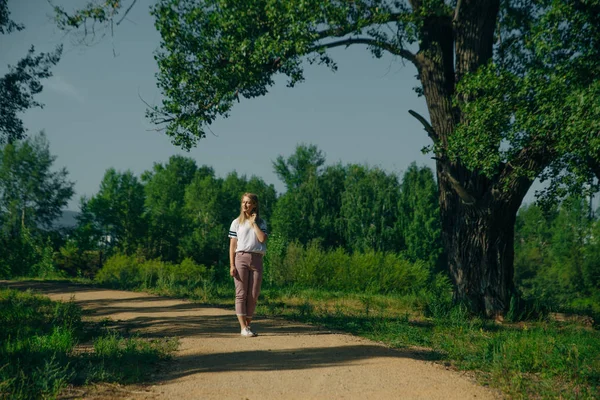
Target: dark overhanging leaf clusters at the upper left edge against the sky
[23, 81]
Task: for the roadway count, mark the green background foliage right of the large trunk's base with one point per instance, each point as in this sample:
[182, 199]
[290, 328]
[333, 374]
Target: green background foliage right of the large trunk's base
[556, 256]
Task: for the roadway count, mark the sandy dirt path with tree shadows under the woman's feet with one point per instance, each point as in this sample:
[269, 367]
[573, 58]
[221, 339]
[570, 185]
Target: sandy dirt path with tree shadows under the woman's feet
[286, 361]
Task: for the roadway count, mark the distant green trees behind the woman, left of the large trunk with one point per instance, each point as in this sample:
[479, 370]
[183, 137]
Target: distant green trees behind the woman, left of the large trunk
[179, 210]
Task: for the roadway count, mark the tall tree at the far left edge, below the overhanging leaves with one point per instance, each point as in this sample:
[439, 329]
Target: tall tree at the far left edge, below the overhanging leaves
[31, 198]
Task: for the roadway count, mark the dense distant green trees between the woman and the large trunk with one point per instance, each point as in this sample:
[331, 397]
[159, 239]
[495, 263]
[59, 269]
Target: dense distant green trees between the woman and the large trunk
[359, 208]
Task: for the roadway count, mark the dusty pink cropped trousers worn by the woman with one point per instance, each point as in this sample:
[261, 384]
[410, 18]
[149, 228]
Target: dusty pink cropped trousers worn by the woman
[247, 282]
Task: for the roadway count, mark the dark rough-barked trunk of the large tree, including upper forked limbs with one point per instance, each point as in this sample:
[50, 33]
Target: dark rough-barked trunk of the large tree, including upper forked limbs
[478, 213]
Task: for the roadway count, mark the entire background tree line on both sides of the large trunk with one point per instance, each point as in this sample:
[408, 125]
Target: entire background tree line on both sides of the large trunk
[180, 211]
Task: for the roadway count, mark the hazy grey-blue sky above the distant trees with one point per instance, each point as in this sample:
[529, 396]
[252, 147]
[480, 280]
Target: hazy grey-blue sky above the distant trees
[94, 117]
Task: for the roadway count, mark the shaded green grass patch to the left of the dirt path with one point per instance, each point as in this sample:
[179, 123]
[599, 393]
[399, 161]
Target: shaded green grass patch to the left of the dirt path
[45, 346]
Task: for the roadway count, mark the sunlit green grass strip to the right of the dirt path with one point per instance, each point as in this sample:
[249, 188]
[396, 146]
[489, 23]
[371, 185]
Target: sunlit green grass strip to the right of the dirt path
[534, 359]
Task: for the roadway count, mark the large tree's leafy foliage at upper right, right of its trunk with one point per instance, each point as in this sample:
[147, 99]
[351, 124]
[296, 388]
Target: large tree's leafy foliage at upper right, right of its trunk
[539, 93]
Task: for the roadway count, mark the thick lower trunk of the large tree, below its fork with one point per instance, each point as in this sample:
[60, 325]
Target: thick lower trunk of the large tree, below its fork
[479, 242]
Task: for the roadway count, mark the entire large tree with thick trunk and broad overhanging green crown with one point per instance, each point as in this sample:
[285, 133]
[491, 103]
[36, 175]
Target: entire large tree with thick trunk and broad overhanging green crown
[511, 88]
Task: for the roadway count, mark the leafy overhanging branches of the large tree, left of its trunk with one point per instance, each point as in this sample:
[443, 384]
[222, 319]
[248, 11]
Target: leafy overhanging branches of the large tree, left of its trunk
[214, 52]
